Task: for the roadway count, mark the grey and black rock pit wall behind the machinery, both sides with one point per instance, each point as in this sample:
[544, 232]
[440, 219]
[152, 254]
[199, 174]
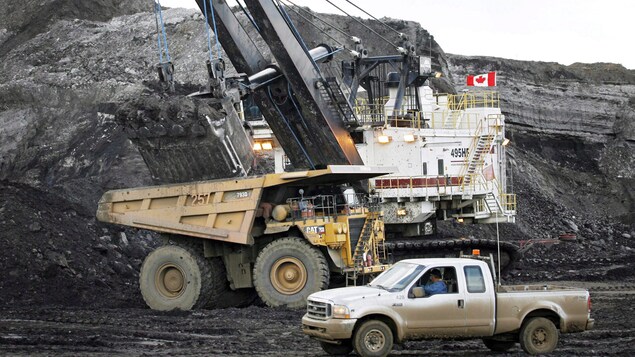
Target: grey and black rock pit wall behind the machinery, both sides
[66, 67]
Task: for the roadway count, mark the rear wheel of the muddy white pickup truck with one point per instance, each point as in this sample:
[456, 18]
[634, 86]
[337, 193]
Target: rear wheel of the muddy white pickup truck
[538, 335]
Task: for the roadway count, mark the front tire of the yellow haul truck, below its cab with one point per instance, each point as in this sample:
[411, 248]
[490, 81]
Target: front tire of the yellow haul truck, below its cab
[288, 270]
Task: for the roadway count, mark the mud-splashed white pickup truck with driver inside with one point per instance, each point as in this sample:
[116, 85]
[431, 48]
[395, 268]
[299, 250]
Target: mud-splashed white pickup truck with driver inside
[394, 308]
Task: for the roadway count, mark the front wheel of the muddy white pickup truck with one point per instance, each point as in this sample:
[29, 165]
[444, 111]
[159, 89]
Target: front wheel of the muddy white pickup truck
[373, 338]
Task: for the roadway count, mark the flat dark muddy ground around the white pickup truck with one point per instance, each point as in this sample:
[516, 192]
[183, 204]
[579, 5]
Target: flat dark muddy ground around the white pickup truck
[259, 331]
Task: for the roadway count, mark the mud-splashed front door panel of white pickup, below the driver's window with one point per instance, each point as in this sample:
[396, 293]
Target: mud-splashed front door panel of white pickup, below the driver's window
[441, 315]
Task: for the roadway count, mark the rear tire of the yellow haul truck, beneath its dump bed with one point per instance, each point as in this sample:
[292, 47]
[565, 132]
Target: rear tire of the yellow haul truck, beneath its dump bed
[177, 277]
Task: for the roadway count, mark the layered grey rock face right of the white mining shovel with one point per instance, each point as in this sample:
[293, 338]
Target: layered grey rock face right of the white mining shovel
[571, 129]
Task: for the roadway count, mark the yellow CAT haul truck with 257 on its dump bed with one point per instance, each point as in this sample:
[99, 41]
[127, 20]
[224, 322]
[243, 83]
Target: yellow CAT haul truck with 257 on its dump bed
[282, 234]
